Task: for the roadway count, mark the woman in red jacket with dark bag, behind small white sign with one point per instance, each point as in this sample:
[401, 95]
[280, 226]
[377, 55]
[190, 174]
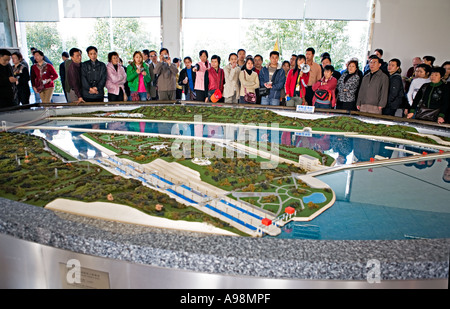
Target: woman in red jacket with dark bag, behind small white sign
[324, 95]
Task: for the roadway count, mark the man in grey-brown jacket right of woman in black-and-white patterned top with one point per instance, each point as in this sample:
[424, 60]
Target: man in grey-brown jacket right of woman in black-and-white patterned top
[373, 94]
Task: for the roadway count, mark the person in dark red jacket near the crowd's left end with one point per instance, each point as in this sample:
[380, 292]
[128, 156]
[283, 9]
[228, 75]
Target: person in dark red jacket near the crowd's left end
[42, 76]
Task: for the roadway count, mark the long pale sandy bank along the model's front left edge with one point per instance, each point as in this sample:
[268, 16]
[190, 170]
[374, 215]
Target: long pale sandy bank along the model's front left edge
[126, 214]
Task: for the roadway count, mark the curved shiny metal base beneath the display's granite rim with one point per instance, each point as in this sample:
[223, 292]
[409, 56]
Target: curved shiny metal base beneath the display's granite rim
[28, 265]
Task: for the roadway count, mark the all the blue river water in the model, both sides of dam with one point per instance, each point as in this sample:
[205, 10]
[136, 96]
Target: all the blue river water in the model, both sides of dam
[389, 202]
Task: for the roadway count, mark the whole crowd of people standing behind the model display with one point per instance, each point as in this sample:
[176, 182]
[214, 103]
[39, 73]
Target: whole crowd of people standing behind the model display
[423, 93]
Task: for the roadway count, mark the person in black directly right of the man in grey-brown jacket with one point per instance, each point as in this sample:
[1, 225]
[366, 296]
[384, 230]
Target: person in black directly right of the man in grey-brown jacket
[396, 90]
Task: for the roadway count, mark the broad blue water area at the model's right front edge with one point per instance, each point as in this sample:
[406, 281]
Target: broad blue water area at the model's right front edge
[404, 201]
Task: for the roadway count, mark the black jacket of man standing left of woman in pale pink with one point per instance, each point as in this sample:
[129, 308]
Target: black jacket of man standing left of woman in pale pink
[93, 75]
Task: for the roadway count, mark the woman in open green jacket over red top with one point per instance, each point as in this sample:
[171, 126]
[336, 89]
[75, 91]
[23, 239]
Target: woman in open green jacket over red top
[138, 76]
